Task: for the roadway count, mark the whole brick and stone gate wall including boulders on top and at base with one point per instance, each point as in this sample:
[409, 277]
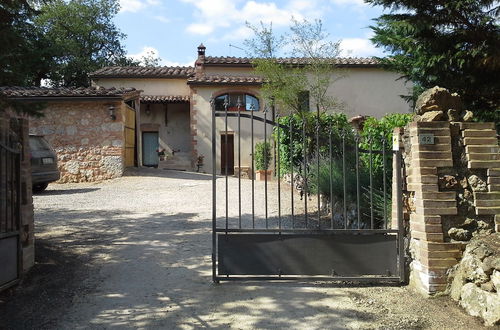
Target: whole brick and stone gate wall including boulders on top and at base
[452, 203]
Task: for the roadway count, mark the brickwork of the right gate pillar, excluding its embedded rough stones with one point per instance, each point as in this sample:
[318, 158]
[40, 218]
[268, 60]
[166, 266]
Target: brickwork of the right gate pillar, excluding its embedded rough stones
[432, 255]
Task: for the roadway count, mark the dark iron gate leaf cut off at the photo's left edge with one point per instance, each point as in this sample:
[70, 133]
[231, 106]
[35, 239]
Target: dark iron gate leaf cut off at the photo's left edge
[10, 216]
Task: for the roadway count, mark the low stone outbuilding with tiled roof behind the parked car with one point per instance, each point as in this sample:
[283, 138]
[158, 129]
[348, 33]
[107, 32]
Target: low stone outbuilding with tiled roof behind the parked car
[91, 129]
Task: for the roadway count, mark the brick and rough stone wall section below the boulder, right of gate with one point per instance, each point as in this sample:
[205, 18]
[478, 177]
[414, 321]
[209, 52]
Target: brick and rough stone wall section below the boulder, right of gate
[452, 194]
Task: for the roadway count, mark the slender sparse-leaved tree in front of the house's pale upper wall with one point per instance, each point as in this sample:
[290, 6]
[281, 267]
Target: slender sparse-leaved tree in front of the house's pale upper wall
[286, 84]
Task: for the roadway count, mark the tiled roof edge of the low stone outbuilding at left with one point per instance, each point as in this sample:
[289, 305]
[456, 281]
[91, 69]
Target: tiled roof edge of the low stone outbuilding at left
[41, 92]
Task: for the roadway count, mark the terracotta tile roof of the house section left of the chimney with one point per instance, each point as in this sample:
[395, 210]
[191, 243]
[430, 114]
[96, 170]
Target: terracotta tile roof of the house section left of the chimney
[145, 72]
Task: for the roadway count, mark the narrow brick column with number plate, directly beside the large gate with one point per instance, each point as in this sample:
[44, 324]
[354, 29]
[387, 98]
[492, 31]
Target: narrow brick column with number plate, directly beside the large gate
[431, 255]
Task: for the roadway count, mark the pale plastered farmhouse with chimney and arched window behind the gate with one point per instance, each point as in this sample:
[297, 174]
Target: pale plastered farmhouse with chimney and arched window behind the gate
[175, 112]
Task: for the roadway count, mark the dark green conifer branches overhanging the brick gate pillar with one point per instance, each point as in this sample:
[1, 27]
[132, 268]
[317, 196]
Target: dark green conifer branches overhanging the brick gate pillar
[451, 43]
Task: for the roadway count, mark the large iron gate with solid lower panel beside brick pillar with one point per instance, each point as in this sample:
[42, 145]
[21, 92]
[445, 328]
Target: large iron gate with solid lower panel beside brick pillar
[267, 231]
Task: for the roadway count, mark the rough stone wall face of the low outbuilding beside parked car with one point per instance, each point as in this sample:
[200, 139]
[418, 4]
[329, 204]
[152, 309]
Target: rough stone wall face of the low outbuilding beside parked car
[88, 142]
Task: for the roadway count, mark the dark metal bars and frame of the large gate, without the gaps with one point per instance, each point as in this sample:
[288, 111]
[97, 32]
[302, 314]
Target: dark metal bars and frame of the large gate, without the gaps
[234, 248]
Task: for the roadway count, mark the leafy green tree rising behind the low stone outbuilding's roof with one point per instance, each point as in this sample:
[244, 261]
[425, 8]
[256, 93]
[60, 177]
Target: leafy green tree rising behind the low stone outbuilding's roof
[82, 38]
